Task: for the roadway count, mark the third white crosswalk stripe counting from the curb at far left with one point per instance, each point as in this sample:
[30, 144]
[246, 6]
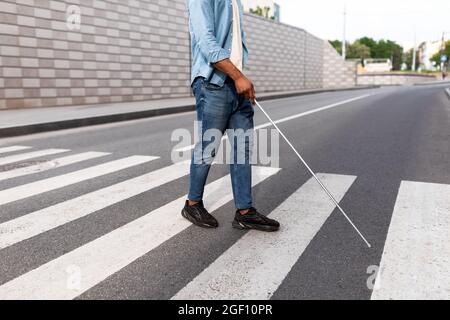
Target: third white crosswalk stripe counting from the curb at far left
[53, 164]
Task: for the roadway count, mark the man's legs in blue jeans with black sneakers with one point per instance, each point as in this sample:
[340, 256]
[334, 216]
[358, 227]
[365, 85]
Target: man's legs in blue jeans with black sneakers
[219, 109]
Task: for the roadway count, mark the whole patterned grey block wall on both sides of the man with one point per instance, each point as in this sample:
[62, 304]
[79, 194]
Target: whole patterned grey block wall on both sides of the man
[134, 50]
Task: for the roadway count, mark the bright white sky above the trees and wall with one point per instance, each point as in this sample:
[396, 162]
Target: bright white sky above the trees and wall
[397, 20]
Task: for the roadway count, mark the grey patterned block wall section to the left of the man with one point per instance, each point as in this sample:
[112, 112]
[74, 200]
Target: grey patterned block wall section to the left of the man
[124, 51]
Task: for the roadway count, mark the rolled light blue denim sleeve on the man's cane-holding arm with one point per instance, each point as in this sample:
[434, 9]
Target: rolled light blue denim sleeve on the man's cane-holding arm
[201, 16]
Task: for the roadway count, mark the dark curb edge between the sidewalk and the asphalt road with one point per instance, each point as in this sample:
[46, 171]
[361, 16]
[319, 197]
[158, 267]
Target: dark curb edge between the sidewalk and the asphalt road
[120, 117]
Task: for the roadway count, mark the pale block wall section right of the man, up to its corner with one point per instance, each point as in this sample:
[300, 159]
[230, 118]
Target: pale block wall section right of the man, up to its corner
[282, 57]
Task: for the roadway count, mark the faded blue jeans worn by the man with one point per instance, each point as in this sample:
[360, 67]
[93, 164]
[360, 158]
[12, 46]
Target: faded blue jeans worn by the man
[220, 108]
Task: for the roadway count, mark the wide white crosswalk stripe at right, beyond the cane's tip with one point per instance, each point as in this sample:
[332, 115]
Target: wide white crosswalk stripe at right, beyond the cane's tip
[416, 258]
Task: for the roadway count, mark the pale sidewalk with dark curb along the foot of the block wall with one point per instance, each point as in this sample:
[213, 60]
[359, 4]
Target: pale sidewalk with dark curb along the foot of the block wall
[16, 122]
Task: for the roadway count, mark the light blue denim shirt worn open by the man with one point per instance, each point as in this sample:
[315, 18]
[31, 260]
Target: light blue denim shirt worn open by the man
[210, 26]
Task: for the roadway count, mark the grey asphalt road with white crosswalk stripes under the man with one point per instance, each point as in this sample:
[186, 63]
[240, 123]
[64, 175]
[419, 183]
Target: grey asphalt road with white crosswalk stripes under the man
[381, 138]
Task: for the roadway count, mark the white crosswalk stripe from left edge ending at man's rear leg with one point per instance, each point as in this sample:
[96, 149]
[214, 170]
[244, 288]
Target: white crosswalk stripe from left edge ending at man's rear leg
[37, 222]
